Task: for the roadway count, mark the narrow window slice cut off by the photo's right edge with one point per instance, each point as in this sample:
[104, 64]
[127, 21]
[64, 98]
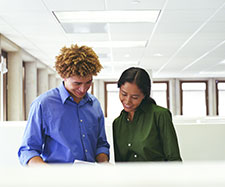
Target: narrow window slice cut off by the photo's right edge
[220, 98]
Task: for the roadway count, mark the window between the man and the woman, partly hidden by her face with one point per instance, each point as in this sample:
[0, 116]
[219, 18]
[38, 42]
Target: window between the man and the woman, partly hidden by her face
[113, 105]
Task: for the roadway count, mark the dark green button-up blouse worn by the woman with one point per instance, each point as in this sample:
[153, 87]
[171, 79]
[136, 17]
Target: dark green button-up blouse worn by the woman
[150, 136]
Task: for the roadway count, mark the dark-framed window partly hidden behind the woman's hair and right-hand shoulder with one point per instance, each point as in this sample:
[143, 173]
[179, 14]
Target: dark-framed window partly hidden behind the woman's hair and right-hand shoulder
[160, 93]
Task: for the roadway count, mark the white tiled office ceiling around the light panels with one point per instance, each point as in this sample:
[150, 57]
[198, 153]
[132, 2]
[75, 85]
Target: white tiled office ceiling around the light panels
[188, 38]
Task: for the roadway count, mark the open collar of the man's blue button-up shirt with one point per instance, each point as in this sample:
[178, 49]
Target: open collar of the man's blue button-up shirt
[64, 94]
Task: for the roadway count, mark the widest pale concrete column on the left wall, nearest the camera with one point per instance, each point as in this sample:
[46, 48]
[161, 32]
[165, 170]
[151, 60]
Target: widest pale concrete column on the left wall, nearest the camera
[15, 87]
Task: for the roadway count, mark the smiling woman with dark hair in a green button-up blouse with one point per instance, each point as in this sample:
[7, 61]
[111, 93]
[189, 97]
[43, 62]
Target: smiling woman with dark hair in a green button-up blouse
[144, 131]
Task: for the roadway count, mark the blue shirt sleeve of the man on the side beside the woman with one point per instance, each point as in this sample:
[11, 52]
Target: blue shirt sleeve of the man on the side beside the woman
[102, 144]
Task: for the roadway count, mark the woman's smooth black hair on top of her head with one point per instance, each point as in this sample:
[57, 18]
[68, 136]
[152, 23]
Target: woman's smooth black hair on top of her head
[138, 76]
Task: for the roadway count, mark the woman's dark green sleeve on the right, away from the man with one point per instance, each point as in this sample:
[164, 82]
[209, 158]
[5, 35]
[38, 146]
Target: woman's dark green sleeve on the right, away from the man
[168, 136]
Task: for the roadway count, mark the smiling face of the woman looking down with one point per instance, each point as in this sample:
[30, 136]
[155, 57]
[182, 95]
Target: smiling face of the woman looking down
[130, 96]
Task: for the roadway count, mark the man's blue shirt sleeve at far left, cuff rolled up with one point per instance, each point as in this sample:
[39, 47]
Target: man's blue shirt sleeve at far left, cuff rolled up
[33, 137]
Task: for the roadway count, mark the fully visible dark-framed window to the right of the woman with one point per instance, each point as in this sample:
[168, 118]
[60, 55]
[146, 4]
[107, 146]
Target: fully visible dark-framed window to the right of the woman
[194, 98]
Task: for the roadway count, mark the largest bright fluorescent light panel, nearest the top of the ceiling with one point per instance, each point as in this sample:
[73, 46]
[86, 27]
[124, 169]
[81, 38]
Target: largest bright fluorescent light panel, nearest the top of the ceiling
[107, 16]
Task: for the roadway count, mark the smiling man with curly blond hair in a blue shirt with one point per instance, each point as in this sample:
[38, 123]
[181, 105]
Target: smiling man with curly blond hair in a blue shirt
[67, 123]
